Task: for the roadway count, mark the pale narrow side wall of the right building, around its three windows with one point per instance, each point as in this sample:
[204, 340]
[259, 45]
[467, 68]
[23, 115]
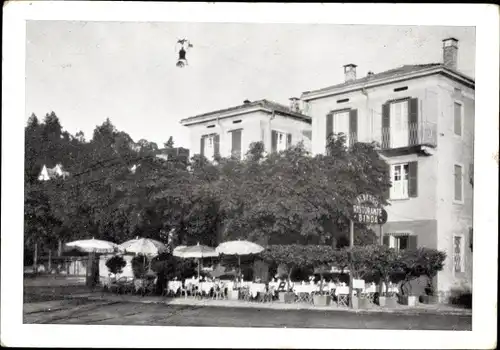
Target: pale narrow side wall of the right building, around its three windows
[454, 218]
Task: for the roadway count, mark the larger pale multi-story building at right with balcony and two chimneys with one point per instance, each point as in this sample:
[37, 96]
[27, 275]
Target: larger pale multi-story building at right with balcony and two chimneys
[422, 117]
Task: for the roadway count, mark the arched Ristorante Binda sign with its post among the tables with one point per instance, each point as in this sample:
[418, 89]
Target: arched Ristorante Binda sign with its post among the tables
[365, 210]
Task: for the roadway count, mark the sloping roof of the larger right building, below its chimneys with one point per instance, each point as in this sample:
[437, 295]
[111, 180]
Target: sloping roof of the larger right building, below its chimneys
[391, 73]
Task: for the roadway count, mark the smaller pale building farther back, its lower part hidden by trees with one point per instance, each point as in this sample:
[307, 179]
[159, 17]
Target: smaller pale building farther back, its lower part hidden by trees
[229, 132]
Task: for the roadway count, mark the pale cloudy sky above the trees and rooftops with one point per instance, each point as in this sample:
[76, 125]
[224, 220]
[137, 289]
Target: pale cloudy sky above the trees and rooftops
[89, 71]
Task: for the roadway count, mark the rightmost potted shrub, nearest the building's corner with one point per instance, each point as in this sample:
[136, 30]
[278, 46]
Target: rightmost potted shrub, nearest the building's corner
[432, 261]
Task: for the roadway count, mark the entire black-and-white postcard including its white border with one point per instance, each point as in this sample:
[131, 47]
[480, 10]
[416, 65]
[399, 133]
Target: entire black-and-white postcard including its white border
[207, 176]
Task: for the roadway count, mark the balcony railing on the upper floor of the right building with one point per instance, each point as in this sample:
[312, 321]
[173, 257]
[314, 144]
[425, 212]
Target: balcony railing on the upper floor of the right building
[417, 134]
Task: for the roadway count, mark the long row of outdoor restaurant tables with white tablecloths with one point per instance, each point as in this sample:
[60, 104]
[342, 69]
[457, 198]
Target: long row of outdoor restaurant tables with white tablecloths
[209, 286]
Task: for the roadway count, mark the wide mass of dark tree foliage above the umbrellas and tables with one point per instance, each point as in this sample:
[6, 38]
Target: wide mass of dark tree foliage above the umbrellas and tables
[118, 189]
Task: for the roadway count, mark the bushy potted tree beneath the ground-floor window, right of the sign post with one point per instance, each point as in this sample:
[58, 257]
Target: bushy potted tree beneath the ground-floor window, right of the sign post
[385, 263]
